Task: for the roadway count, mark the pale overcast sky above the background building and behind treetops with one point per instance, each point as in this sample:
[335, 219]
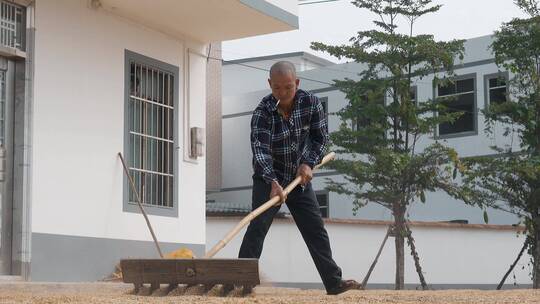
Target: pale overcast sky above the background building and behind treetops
[336, 21]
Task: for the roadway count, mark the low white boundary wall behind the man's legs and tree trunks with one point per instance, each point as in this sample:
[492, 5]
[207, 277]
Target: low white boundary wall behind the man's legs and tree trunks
[448, 255]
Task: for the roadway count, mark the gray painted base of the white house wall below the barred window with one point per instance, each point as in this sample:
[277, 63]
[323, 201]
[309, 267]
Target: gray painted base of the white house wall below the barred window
[61, 258]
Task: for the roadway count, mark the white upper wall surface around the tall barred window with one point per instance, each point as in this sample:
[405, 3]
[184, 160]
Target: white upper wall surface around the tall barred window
[78, 126]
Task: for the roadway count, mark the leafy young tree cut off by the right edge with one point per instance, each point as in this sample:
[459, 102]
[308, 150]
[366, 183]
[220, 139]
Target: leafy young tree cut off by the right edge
[511, 181]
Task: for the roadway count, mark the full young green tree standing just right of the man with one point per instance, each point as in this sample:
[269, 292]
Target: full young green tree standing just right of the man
[382, 122]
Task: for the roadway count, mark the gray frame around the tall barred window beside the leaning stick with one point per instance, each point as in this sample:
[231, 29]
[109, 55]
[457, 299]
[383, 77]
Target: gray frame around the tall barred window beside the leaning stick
[130, 56]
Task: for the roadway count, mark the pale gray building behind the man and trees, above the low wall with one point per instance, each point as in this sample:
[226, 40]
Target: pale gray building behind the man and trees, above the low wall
[477, 73]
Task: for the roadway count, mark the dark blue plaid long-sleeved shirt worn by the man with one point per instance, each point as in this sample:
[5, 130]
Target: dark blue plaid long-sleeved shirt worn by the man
[280, 146]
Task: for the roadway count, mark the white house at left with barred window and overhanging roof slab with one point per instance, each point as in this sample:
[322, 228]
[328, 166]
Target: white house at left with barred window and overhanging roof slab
[80, 81]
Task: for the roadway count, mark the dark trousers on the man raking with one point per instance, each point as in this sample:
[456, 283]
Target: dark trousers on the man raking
[307, 215]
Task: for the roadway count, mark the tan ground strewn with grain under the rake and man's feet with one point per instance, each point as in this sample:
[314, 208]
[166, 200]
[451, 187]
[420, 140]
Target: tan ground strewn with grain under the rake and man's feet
[51, 293]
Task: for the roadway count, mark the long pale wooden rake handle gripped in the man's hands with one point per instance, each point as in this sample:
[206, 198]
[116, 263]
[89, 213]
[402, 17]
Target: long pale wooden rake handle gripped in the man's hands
[270, 203]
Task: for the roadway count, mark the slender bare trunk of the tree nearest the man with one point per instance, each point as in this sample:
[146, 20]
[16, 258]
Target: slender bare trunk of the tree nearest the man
[399, 233]
